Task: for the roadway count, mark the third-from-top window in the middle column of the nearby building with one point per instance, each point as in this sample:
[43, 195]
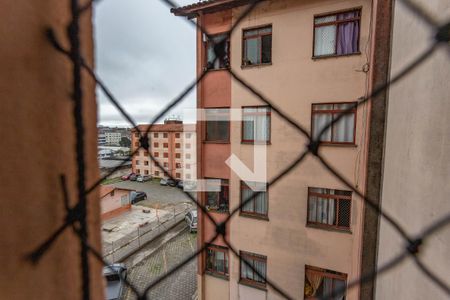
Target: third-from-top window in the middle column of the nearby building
[258, 205]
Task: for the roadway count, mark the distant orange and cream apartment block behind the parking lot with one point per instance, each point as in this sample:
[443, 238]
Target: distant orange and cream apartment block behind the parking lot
[172, 144]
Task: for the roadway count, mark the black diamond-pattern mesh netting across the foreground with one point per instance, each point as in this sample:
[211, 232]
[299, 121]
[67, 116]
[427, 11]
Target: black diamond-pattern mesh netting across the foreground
[76, 215]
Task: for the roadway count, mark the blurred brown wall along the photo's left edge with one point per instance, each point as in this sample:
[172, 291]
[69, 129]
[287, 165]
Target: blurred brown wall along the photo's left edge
[38, 138]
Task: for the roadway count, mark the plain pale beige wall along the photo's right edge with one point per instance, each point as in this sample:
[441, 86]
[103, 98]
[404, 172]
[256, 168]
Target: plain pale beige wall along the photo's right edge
[417, 157]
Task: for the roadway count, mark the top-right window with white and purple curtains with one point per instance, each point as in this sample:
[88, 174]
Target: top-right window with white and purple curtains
[337, 34]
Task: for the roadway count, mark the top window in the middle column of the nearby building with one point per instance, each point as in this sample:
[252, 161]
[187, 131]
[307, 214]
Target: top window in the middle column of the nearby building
[257, 46]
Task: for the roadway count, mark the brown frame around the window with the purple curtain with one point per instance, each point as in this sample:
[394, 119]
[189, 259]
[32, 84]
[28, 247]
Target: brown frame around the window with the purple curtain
[337, 23]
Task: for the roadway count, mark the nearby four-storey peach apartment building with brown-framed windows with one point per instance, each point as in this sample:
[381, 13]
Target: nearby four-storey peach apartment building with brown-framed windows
[313, 60]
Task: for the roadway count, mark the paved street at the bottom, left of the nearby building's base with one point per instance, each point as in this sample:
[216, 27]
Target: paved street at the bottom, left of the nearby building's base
[180, 285]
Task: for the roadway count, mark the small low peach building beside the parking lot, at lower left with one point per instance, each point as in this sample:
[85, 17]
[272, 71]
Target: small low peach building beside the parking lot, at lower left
[114, 201]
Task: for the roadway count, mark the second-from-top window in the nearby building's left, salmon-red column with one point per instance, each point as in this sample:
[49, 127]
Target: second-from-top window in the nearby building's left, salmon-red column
[217, 125]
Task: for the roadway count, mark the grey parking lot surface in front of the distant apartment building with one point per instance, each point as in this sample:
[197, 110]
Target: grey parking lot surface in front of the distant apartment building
[157, 196]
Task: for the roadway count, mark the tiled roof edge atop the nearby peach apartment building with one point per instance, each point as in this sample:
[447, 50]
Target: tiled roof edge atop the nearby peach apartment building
[209, 6]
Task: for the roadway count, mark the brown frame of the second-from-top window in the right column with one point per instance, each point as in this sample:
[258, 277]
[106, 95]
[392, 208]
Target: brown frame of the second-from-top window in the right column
[333, 112]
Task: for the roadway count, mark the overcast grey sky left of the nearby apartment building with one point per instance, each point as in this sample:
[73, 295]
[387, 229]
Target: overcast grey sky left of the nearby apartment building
[145, 55]
